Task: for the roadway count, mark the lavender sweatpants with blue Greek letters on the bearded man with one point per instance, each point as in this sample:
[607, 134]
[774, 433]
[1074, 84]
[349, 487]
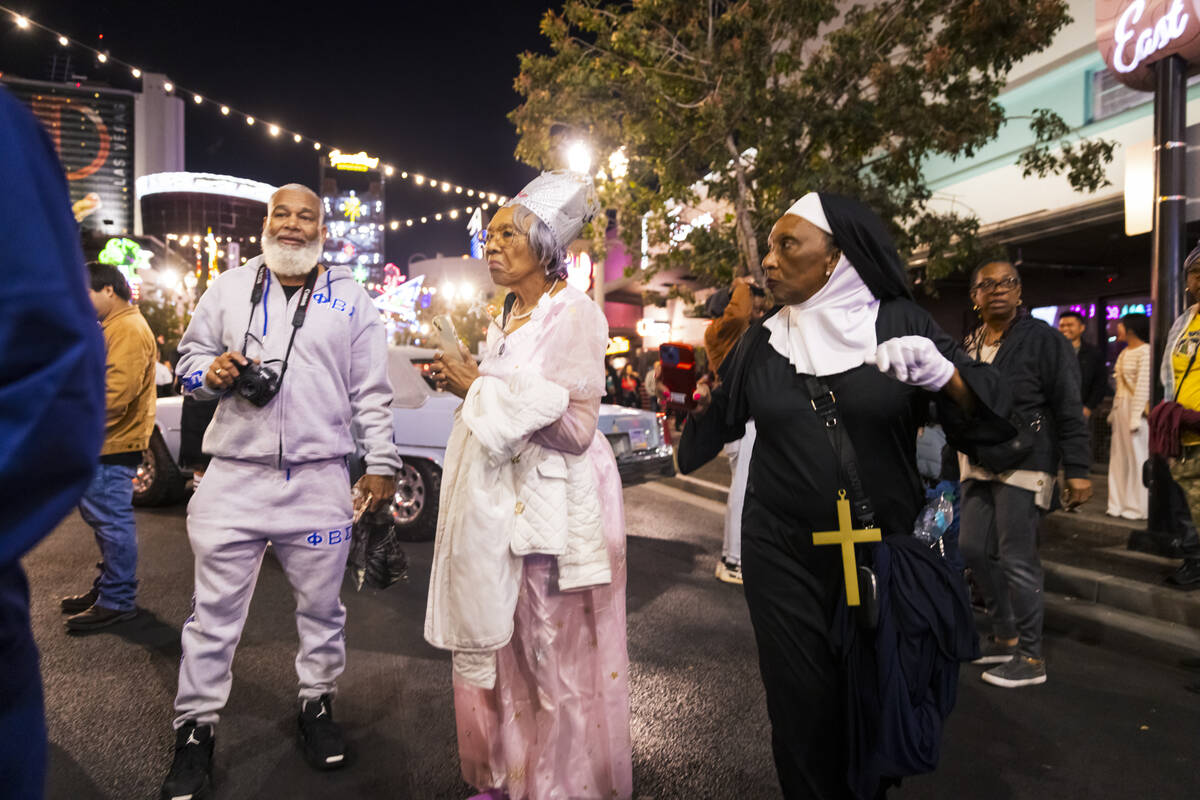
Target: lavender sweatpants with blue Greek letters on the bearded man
[305, 514]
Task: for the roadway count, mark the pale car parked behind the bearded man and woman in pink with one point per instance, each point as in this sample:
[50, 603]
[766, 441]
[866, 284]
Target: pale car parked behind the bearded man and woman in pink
[423, 422]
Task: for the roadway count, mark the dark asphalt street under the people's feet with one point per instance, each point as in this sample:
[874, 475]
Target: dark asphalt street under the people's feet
[1107, 725]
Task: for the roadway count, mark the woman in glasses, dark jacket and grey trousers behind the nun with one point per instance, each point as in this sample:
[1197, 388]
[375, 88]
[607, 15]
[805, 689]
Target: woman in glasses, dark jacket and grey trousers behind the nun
[1007, 488]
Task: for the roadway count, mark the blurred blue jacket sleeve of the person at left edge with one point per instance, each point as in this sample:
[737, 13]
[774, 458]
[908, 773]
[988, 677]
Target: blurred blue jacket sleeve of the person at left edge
[52, 354]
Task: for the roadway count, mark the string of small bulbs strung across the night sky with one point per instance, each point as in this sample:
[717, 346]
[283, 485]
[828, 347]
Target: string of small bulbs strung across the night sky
[273, 129]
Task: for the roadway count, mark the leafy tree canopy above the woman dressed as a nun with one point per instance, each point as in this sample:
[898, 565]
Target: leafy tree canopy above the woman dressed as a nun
[749, 104]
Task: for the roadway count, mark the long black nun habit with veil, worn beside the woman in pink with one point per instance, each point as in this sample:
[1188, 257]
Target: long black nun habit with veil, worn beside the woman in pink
[851, 708]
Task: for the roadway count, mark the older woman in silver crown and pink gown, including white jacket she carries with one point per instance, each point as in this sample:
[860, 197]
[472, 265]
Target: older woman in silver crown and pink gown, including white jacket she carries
[529, 580]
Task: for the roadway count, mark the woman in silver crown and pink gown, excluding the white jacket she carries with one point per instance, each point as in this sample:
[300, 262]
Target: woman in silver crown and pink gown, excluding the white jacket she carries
[556, 724]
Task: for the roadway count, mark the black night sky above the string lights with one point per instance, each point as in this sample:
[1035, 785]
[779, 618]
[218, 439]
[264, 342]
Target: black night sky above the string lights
[427, 87]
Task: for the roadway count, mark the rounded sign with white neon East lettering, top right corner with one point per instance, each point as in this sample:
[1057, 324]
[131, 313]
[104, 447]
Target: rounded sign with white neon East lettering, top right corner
[1135, 34]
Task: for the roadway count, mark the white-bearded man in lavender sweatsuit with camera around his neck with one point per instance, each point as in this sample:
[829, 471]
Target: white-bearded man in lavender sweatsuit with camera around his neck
[297, 354]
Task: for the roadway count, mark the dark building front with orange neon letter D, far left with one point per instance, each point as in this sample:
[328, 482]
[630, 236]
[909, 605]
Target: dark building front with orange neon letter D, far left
[93, 133]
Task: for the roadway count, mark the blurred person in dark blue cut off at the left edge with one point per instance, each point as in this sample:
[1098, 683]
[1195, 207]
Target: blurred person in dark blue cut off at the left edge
[52, 402]
